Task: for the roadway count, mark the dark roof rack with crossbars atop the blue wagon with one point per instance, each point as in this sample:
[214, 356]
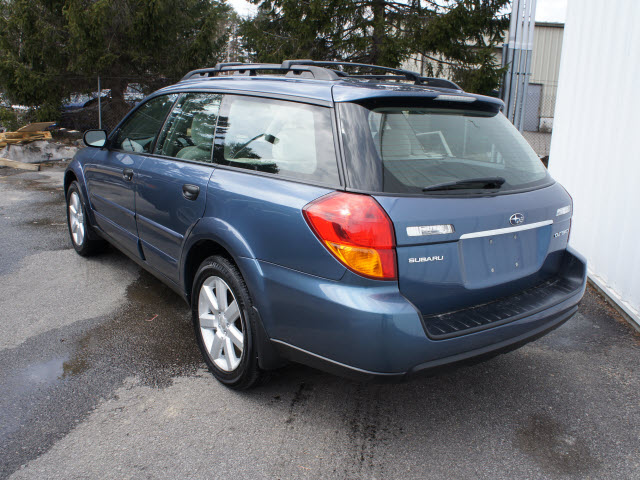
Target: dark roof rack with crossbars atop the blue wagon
[317, 69]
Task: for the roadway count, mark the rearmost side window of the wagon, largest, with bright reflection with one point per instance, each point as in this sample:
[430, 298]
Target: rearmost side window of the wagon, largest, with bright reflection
[289, 139]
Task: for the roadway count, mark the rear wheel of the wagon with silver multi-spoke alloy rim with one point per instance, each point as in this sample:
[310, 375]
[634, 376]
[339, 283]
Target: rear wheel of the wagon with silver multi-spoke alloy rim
[225, 335]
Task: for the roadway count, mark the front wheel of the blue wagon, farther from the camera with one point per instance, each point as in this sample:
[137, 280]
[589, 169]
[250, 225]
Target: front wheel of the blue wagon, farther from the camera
[83, 238]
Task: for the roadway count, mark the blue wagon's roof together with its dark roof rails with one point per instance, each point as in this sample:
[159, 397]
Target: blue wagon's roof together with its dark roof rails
[308, 81]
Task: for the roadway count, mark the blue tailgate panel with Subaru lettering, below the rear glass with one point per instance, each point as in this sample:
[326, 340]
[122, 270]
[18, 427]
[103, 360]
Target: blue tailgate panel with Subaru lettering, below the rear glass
[499, 246]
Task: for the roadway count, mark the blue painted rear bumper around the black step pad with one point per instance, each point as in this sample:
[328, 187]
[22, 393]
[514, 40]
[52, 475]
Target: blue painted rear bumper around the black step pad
[366, 330]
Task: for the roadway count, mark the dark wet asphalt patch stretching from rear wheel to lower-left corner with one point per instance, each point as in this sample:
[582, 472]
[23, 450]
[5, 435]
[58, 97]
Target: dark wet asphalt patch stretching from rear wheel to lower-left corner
[87, 361]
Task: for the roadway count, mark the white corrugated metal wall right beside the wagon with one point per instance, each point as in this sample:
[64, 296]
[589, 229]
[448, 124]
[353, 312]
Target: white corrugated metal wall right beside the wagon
[594, 149]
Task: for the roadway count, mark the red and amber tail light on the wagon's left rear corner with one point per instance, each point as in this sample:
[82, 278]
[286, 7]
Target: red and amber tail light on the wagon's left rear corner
[357, 231]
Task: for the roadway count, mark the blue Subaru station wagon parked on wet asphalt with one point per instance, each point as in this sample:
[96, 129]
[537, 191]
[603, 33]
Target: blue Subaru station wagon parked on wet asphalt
[375, 225]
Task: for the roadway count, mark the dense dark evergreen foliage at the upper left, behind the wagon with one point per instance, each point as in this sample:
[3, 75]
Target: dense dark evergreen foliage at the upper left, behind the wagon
[51, 48]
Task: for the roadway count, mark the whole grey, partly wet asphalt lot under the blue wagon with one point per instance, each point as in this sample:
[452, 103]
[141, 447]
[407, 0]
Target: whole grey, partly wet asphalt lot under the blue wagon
[100, 377]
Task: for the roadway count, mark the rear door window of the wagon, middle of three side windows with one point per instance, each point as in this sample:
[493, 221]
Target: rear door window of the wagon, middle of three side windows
[189, 131]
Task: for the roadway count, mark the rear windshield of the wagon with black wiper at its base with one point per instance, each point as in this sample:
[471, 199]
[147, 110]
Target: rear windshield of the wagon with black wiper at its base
[409, 149]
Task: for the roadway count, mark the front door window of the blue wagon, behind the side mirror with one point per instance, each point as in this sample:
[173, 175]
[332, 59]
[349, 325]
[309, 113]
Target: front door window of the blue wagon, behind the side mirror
[140, 130]
